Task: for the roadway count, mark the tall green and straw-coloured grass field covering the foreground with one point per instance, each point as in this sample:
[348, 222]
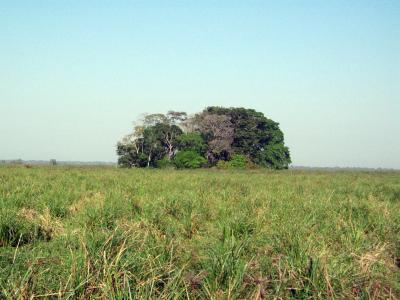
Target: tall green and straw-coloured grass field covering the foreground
[73, 232]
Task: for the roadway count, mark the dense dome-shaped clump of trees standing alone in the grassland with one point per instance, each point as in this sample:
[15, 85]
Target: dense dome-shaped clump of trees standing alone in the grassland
[218, 136]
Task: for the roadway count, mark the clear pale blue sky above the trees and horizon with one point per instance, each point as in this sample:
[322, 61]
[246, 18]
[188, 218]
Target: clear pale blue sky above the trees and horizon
[74, 75]
